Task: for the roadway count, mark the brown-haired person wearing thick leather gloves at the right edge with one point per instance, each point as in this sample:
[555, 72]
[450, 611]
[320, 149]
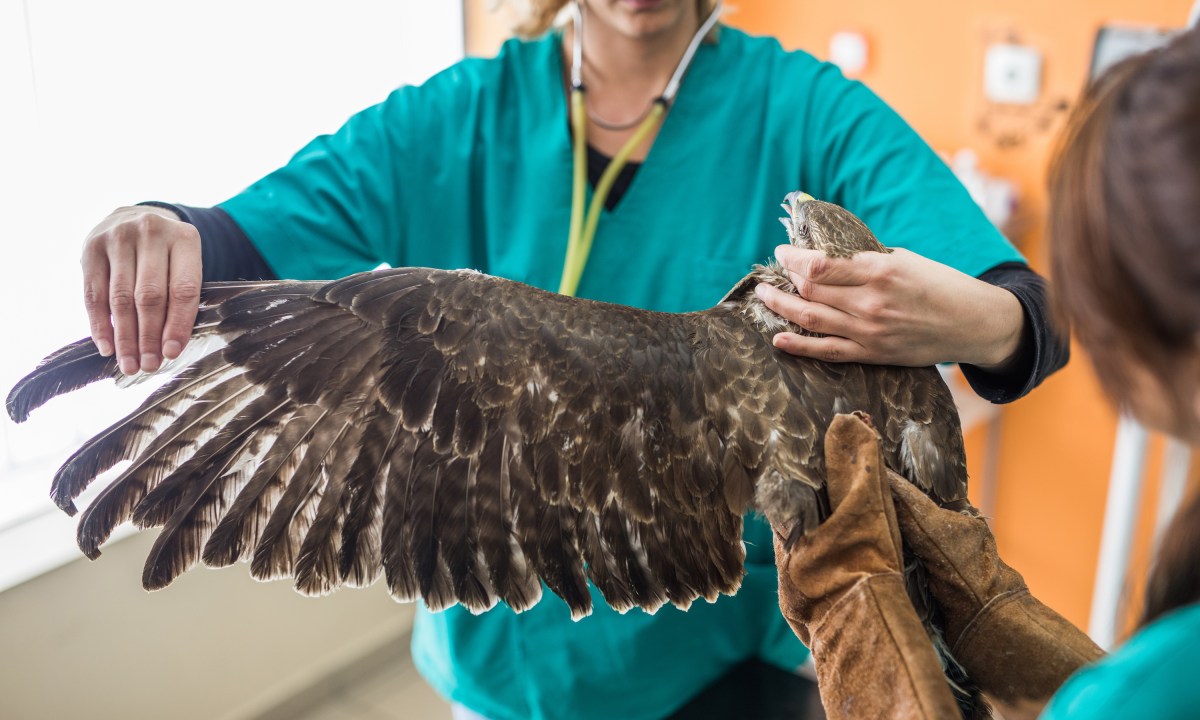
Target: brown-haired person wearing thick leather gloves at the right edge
[1125, 212]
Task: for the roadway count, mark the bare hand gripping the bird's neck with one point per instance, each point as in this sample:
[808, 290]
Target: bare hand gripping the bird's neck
[893, 309]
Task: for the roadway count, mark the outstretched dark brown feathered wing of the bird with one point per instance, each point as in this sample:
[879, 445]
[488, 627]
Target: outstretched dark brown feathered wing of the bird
[465, 436]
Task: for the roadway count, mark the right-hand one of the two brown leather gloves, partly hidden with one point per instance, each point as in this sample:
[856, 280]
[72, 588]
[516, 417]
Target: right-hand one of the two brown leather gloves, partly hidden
[1015, 647]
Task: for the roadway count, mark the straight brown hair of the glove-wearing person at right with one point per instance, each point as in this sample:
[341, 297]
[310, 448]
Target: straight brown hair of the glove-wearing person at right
[1125, 250]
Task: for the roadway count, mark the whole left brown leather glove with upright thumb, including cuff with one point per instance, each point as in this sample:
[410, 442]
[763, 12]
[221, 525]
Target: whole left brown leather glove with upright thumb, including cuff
[842, 592]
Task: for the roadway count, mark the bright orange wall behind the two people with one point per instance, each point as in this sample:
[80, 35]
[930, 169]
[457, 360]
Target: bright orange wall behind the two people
[927, 62]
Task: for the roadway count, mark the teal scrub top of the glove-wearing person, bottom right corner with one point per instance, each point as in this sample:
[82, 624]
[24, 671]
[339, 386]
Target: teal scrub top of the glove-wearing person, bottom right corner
[1151, 677]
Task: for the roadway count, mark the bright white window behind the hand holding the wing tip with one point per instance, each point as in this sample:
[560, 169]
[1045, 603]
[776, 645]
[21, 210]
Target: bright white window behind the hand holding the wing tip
[122, 101]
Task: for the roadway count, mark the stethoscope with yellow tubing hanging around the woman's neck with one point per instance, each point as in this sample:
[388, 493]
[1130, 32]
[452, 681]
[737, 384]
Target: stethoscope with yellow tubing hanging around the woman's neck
[584, 225]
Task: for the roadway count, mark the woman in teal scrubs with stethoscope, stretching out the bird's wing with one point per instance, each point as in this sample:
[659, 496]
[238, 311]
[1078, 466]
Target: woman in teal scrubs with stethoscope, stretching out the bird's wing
[476, 170]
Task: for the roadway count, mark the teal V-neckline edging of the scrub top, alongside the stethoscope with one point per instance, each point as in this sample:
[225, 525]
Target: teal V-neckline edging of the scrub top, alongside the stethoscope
[663, 148]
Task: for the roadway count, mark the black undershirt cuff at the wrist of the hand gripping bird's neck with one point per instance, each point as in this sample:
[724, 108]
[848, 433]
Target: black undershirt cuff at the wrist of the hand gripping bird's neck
[1043, 349]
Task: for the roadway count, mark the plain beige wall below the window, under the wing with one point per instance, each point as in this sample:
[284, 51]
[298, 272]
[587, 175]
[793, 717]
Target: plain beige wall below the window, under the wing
[87, 641]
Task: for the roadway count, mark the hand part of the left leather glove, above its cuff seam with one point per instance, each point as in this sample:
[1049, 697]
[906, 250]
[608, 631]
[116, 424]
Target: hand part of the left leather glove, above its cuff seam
[860, 541]
